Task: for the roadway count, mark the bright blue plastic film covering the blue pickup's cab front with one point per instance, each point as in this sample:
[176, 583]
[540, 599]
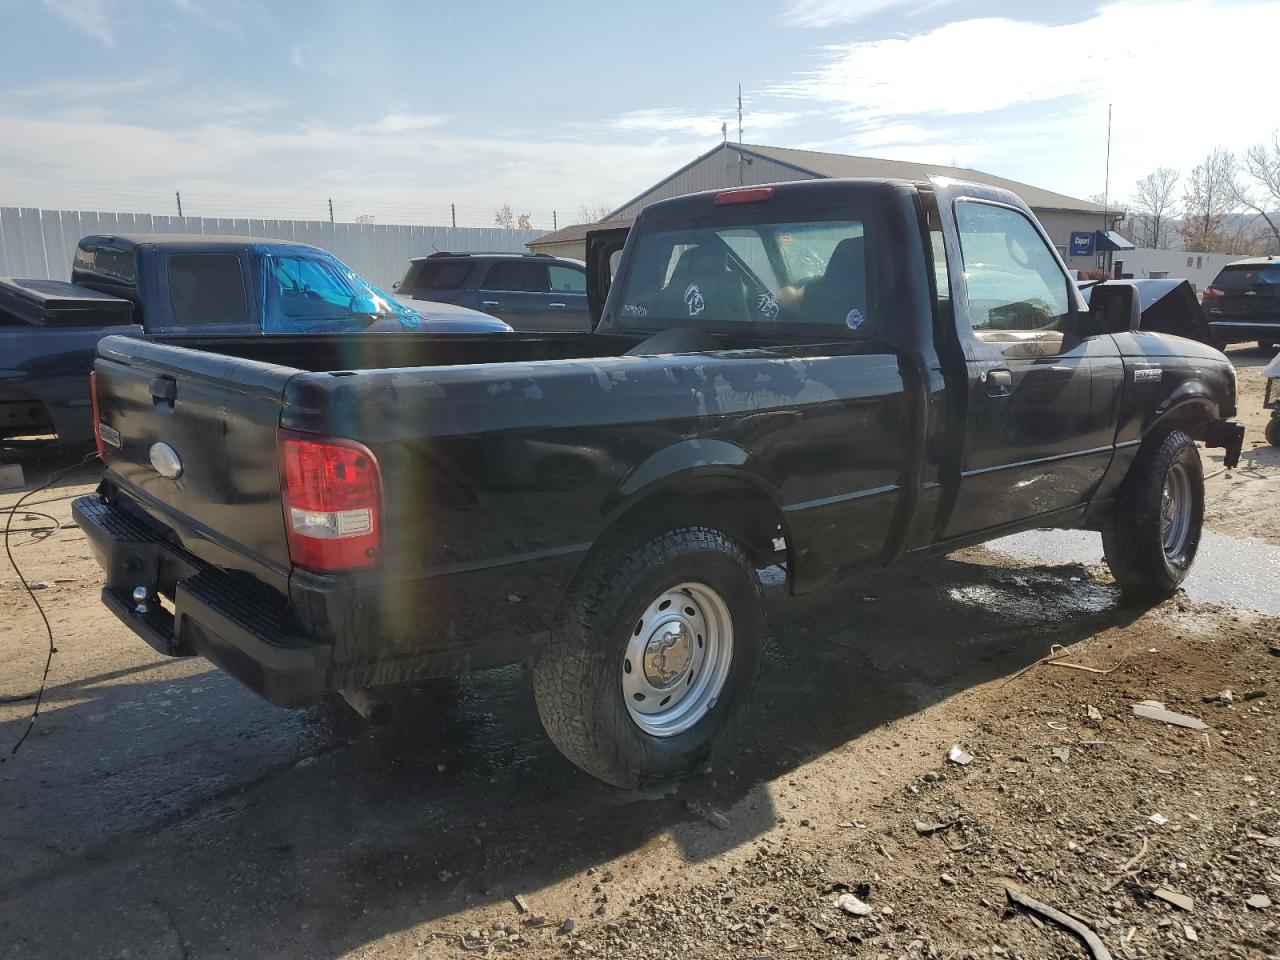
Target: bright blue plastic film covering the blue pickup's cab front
[319, 292]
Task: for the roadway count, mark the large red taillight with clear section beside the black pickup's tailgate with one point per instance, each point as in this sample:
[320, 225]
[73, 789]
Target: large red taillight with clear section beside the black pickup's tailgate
[332, 491]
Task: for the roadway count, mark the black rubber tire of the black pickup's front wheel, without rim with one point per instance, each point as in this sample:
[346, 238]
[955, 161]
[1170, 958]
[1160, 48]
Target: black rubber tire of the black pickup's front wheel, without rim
[1133, 538]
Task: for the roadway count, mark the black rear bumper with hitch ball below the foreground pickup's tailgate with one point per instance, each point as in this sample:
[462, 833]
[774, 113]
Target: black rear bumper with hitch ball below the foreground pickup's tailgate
[236, 623]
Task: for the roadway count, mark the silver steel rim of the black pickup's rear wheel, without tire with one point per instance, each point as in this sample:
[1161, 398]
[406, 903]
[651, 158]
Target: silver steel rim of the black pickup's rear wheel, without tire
[678, 660]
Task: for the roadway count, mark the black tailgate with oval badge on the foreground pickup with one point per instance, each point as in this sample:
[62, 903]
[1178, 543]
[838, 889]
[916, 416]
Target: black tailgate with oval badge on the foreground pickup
[190, 436]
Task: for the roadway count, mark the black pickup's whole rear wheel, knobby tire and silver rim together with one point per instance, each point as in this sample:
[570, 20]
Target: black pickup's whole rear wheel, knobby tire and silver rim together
[653, 656]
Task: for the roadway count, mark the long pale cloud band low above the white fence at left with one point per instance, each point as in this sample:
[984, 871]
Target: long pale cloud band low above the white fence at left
[405, 175]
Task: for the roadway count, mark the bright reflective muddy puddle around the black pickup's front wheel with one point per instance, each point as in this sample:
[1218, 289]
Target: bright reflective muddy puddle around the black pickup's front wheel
[1228, 569]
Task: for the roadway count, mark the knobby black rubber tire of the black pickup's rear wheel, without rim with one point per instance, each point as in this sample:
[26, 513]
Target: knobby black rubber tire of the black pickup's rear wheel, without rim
[578, 679]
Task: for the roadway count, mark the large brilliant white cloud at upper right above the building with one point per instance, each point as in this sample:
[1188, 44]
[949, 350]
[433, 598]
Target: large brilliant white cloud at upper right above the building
[1030, 100]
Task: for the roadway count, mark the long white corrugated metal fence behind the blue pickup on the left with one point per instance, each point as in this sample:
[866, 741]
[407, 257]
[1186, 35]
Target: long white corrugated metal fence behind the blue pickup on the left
[39, 244]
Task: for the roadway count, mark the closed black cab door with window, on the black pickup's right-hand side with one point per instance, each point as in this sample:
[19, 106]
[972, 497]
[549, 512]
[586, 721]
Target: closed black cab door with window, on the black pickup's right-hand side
[1043, 391]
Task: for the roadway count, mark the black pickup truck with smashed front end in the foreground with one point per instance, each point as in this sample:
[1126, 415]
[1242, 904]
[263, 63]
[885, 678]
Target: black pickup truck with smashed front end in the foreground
[825, 376]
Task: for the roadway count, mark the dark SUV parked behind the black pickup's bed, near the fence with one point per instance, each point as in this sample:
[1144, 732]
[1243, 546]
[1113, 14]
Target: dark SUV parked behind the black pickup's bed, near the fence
[529, 291]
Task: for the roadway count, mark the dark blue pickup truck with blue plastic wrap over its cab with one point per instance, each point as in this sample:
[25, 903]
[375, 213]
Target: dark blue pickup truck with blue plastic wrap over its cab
[175, 289]
